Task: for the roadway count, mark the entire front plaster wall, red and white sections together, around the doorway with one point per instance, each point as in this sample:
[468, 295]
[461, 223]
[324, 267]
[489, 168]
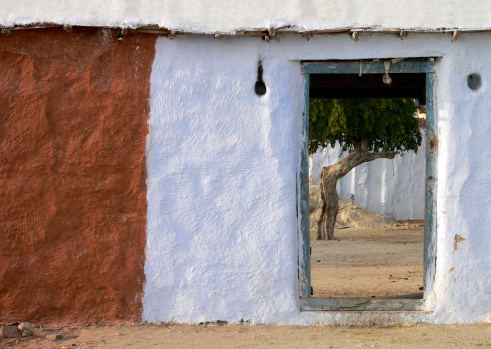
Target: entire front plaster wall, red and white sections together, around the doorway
[193, 216]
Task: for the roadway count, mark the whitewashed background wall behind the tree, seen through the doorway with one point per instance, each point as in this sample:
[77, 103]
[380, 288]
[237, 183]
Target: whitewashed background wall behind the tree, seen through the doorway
[394, 188]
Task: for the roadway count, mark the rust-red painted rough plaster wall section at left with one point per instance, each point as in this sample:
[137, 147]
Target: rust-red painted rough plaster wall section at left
[73, 124]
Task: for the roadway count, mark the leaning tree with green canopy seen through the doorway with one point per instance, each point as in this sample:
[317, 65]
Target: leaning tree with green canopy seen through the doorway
[368, 129]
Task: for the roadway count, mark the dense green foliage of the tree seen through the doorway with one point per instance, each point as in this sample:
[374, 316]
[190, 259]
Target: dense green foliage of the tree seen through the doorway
[385, 124]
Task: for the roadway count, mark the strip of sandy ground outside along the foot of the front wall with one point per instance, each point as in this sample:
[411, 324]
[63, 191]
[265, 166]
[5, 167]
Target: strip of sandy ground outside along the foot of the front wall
[258, 336]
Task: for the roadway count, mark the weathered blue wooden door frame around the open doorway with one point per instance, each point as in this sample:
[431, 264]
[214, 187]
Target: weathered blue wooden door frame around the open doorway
[368, 303]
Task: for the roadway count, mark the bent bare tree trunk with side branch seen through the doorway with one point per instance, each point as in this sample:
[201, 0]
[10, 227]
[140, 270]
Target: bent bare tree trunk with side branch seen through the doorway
[329, 179]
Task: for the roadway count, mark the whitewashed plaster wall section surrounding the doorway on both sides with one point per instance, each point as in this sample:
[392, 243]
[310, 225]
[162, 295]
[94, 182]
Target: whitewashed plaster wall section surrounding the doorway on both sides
[222, 239]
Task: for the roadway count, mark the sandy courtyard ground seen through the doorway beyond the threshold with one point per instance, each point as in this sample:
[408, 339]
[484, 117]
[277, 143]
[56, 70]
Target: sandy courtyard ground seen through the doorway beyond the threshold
[372, 262]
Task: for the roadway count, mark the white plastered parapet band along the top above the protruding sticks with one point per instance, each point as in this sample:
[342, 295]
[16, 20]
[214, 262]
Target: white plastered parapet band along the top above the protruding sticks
[228, 16]
